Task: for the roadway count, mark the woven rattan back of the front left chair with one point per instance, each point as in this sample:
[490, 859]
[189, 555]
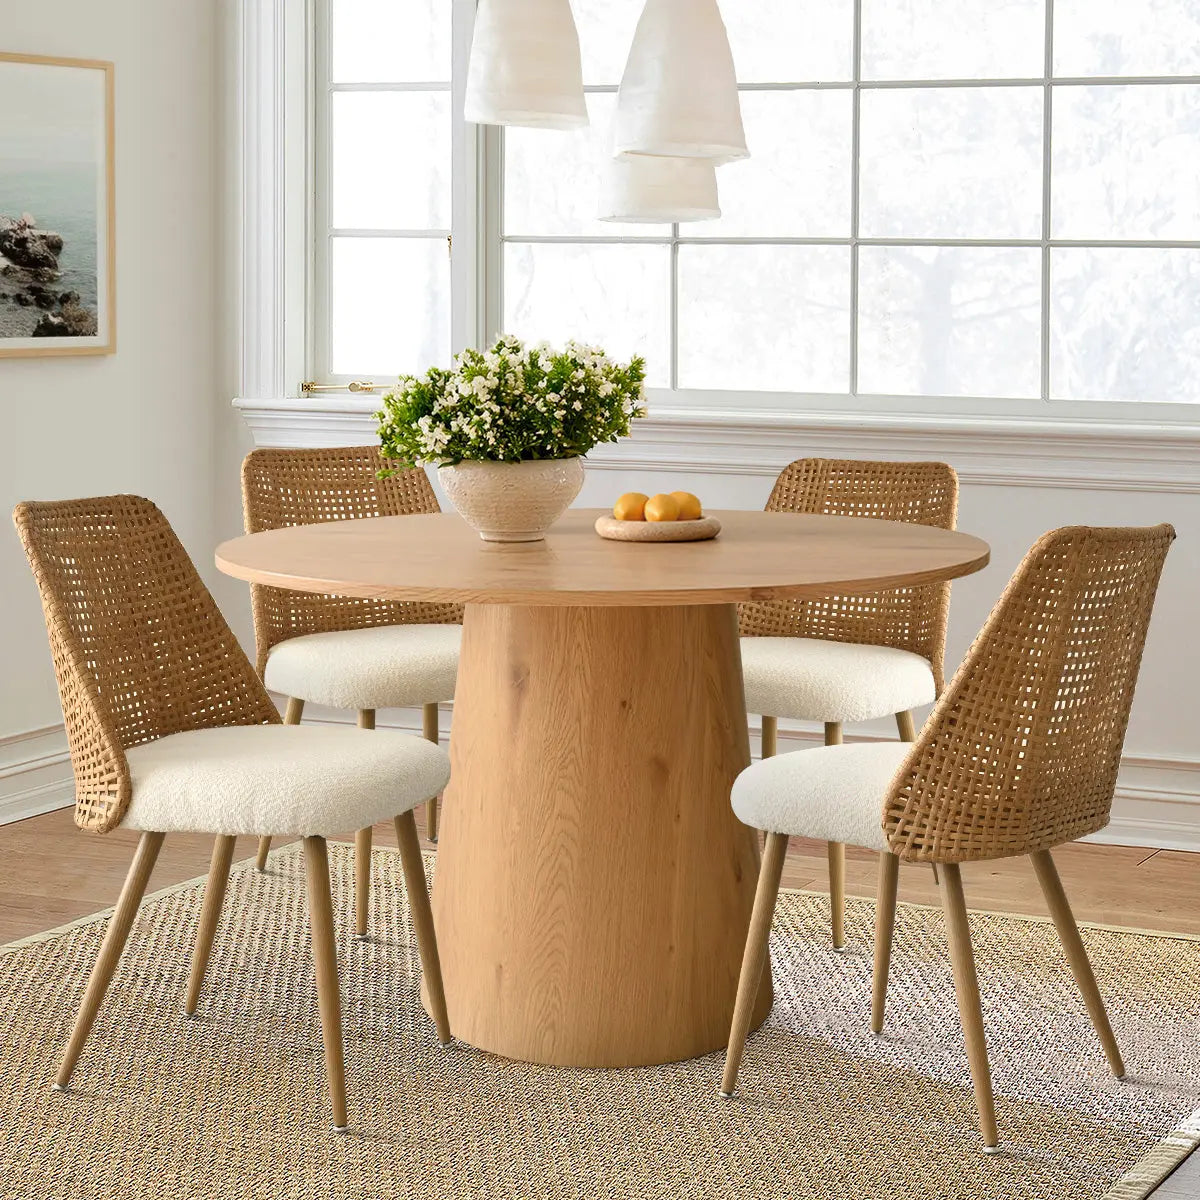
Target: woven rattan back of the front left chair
[141, 650]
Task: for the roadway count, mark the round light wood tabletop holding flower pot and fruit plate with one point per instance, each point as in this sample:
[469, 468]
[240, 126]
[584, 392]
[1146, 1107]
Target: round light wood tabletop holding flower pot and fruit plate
[758, 556]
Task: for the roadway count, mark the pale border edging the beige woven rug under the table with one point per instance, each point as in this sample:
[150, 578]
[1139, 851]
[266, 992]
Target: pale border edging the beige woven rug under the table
[1138, 1184]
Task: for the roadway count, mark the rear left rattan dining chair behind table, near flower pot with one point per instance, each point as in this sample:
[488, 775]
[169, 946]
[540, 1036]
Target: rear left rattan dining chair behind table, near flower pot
[341, 651]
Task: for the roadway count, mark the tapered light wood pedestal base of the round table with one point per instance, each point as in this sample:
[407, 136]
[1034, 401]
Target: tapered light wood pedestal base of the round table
[593, 887]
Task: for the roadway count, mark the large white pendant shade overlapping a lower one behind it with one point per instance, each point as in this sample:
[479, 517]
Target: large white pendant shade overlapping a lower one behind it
[680, 95]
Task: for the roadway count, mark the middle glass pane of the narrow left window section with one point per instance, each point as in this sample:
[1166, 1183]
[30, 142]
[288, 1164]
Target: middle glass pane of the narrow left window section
[392, 160]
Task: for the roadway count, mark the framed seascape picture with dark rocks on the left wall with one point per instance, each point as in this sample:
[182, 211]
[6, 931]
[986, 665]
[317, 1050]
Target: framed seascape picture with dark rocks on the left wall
[58, 291]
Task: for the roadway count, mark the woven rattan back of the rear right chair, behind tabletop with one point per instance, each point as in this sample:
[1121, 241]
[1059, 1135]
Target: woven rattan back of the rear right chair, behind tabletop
[908, 619]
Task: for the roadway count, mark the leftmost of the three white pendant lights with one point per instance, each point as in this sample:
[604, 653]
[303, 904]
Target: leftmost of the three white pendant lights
[525, 67]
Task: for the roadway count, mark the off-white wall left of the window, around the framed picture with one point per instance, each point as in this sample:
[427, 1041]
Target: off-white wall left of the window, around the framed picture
[142, 421]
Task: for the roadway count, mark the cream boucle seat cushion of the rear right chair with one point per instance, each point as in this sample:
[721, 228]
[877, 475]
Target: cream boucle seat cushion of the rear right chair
[812, 680]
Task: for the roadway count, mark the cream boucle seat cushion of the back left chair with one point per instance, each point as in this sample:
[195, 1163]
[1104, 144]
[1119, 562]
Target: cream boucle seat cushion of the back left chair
[388, 667]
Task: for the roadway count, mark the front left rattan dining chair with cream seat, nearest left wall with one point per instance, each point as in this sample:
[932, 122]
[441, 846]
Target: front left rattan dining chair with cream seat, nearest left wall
[171, 730]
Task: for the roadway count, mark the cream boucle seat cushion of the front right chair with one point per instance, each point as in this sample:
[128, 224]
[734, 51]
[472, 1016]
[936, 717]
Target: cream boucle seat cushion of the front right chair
[835, 794]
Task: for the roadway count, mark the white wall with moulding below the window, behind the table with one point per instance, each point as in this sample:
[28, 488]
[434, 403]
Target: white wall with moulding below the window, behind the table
[1017, 483]
